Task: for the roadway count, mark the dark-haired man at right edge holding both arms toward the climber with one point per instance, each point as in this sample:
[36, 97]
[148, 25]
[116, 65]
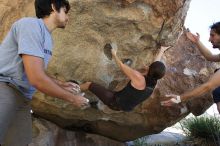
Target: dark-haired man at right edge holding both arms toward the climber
[214, 82]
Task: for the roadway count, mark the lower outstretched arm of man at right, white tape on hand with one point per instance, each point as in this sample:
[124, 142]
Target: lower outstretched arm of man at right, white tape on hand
[212, 83]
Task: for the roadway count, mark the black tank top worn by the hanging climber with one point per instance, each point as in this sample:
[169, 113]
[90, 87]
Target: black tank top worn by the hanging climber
[129, 97]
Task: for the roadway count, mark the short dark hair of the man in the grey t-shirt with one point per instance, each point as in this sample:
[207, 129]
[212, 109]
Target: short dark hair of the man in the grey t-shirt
[43, 8]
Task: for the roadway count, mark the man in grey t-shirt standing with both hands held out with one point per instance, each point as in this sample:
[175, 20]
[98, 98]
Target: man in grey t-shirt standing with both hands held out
[25, 53]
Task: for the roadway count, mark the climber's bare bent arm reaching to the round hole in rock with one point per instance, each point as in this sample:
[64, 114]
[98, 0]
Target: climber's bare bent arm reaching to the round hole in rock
[137, 79]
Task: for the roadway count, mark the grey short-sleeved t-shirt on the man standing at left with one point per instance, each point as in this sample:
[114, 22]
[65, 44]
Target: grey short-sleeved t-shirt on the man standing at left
[28, 36]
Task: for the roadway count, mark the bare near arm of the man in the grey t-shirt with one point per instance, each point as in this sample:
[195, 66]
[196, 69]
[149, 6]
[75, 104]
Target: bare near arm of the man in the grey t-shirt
[34, 68]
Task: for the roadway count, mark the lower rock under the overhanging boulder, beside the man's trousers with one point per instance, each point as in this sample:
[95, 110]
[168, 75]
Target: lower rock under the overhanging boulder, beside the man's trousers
[48, 134]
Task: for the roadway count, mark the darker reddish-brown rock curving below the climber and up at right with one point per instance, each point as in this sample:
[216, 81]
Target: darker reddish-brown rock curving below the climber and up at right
[183, 73]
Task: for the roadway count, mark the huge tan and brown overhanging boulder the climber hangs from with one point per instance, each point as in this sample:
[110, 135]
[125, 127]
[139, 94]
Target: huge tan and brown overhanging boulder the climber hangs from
[138, 27]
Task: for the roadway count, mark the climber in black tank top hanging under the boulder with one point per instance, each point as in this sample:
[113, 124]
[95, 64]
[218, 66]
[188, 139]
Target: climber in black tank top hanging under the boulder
[139, 88]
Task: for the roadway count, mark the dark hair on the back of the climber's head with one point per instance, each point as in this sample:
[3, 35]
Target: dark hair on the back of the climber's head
[156, 71]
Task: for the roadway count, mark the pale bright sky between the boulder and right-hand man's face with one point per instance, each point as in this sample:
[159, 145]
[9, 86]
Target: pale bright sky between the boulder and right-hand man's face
[202, 14]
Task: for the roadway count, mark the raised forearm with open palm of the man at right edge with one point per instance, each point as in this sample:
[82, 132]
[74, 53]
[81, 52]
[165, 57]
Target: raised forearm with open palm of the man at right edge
[204, 50]
